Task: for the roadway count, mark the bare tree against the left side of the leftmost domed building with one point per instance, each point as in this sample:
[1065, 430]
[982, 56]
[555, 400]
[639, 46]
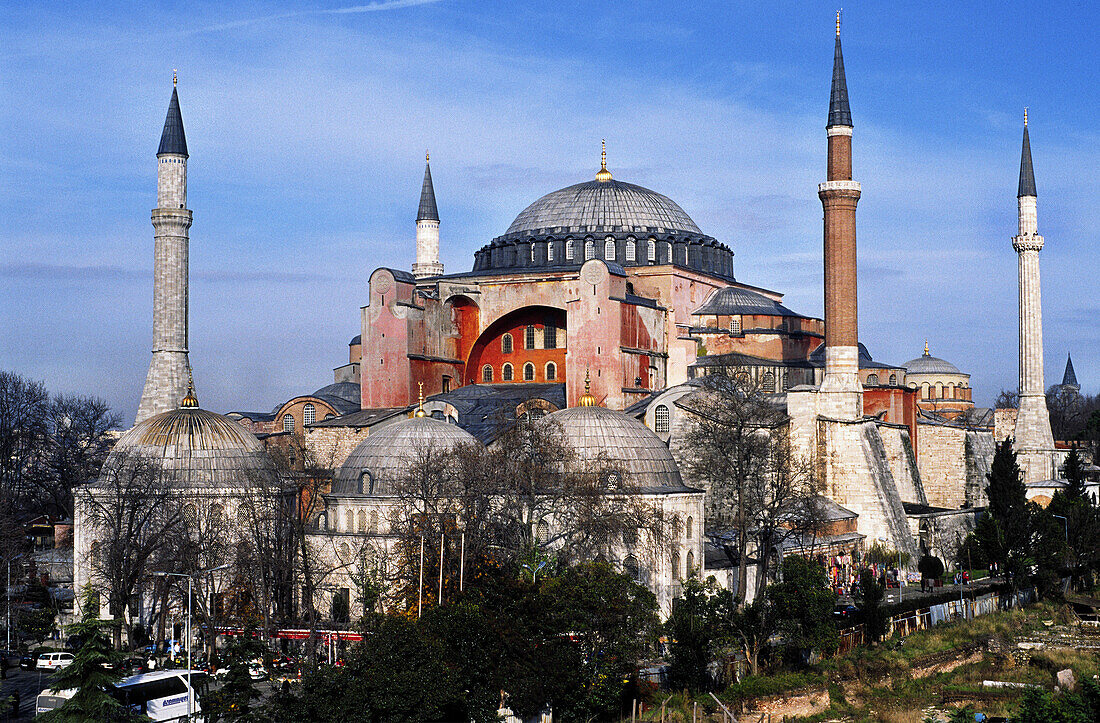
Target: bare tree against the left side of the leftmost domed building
[134, 512]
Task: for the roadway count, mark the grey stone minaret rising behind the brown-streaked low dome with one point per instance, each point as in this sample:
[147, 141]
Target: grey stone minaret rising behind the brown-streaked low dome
[167, 384]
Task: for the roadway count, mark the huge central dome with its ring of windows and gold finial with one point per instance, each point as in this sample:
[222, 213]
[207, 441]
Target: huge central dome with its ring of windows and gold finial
[607, 220]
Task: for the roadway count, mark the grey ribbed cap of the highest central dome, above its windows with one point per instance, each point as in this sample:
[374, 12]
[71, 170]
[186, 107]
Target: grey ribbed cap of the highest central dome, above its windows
[599, 206]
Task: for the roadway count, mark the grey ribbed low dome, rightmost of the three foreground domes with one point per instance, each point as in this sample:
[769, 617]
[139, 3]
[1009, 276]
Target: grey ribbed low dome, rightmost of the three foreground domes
[599, 435]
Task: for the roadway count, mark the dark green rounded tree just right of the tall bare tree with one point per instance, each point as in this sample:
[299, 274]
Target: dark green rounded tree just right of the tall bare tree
[805, 609]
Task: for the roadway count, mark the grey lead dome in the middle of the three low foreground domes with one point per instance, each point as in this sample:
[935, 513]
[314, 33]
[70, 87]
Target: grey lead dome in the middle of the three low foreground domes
[389, 454]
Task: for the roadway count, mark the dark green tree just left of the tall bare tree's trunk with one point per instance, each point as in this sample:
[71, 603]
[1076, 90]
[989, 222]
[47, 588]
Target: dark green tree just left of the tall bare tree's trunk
[691, 634]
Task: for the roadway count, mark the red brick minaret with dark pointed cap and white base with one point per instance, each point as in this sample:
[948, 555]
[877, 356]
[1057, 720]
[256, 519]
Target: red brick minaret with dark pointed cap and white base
[841, 391]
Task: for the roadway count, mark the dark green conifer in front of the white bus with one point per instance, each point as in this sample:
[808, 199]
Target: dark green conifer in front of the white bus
[91, 674]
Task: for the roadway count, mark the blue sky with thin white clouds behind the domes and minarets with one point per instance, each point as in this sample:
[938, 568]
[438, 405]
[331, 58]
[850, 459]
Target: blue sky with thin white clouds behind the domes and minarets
[307, 126]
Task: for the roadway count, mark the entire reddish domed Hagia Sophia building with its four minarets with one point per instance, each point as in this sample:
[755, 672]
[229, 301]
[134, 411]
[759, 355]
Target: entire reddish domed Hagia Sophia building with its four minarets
[603, 306]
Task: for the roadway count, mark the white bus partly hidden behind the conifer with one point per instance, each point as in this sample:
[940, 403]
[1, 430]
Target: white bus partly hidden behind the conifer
[162, 695]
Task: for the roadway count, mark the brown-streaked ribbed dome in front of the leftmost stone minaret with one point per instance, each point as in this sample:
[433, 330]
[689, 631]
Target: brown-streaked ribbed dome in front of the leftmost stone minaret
[195, 447]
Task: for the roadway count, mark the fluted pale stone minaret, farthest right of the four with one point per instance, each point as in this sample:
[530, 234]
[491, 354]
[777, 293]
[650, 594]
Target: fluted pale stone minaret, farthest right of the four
[1035, 444]
